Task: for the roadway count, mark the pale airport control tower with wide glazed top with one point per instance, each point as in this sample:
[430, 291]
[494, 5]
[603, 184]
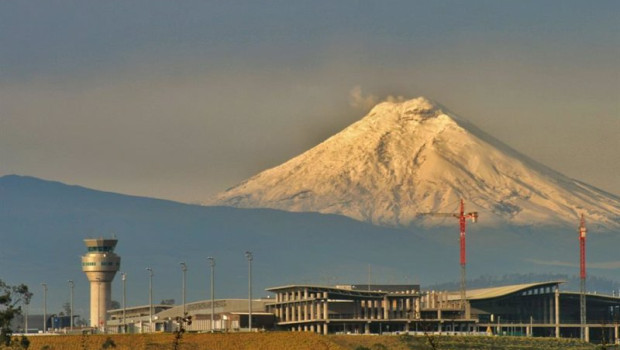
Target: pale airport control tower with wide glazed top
[100, 265]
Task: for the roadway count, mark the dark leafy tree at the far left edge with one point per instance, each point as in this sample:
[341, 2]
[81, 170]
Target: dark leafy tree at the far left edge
[10, 299]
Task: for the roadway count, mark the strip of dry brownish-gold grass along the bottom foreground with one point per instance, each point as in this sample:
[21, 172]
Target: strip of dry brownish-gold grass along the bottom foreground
[297, 341]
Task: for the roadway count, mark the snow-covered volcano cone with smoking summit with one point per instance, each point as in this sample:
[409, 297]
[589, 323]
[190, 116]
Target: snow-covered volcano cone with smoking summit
[412, 157]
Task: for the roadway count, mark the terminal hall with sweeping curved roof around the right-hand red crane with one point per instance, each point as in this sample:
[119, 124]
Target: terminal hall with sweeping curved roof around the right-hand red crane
[541, 309]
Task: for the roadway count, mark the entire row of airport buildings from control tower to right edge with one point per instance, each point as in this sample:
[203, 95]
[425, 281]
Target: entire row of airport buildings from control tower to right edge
[533, 309]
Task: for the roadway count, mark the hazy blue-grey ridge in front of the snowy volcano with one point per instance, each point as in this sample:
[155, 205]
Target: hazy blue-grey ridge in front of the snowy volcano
[43, 223]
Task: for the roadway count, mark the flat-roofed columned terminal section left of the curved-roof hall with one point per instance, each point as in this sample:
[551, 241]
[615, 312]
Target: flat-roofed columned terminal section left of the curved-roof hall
[357, 309]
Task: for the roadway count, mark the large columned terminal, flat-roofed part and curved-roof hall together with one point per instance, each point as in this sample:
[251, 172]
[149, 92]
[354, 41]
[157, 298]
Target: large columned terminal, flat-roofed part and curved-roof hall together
[532, 309]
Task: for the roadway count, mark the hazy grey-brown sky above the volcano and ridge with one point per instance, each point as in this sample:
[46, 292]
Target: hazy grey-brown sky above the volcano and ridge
[183, 99]
